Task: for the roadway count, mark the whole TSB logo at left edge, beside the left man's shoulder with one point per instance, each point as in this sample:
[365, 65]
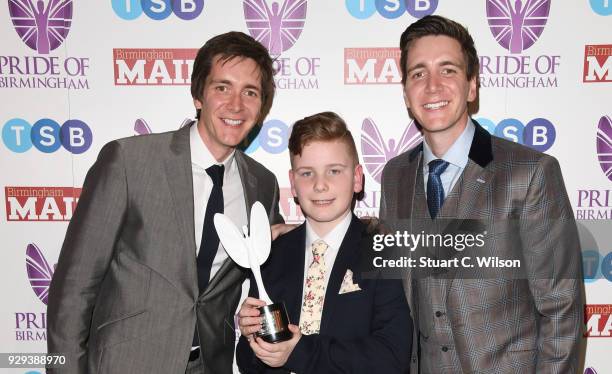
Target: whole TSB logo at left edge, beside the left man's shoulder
[46, 135]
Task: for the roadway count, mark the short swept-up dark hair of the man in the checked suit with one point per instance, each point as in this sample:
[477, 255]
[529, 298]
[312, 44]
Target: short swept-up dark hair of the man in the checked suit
[438, 25]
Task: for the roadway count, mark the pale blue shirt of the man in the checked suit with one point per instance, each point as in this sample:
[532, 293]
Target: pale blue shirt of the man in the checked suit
[456, 156]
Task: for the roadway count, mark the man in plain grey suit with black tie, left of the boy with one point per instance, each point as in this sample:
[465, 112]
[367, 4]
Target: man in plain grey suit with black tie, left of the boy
[142, 284]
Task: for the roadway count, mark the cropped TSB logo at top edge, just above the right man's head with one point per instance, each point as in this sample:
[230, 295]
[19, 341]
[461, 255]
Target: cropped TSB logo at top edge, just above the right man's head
[390, 9]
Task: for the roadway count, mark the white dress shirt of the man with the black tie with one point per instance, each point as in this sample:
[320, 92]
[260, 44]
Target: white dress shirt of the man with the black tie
[234, 203]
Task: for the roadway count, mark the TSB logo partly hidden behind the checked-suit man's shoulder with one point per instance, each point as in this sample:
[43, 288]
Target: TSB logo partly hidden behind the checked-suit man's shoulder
[539, 133]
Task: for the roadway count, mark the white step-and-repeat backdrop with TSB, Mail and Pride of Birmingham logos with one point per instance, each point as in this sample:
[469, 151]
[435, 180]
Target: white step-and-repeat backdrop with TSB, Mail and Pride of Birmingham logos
[77, 74]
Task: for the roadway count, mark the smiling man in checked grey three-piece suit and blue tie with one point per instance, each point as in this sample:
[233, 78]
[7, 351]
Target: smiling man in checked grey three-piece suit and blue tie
[467, 323]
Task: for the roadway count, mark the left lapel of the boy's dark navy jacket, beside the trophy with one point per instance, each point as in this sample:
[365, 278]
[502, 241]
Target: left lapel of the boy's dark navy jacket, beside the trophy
[293, 268]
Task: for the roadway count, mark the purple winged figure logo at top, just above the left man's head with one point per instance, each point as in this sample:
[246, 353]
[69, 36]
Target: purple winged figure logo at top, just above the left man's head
[277, 27]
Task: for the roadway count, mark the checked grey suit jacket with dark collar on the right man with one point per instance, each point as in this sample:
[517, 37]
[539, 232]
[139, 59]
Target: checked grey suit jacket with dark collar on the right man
[506, 325]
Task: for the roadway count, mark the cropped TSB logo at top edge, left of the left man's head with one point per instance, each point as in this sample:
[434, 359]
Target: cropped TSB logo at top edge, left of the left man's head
[158, 9]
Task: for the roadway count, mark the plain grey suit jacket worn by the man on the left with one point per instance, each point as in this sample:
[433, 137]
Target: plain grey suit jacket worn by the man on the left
[124, 297]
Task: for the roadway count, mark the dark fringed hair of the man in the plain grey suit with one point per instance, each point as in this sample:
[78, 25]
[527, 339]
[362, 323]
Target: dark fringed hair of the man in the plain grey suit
[228, 46]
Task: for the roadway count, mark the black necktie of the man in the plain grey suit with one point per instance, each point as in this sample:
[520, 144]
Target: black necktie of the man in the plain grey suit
[210, 240]
